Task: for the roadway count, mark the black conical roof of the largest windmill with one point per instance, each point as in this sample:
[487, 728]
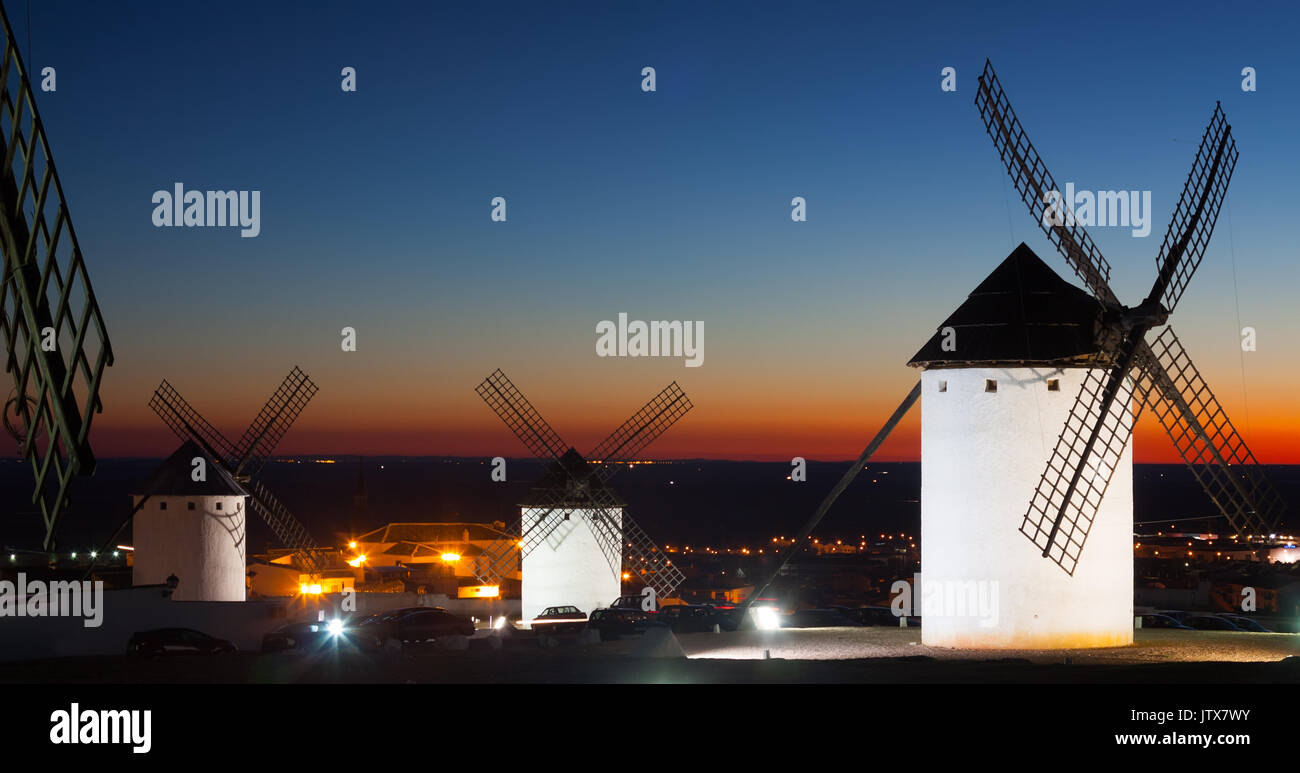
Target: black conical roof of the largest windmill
[1024, 314]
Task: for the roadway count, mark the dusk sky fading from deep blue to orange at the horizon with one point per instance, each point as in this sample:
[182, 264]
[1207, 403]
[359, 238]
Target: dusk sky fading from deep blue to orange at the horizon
[666, 206]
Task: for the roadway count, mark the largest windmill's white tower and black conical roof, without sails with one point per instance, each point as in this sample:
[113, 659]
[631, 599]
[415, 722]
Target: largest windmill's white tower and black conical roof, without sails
[1000, 381]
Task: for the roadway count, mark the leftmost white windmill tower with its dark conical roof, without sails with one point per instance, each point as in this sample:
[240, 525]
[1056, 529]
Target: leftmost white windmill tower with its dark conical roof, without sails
[192, 529]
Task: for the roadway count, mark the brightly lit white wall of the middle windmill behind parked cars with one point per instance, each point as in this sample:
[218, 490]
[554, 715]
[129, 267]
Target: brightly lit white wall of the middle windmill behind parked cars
[570, 567]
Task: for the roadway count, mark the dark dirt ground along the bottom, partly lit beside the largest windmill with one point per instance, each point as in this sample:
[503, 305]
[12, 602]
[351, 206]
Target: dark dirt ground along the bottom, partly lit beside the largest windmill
[830, 655]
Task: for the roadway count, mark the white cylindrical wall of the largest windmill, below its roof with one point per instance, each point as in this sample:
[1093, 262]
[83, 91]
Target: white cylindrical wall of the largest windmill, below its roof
[982, 458]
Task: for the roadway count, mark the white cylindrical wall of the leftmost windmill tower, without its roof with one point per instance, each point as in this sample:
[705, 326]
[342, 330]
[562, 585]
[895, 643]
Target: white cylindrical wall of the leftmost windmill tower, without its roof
[203, 548]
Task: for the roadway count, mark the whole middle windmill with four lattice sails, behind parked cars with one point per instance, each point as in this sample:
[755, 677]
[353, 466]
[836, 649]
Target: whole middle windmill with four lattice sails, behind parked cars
[574, 536]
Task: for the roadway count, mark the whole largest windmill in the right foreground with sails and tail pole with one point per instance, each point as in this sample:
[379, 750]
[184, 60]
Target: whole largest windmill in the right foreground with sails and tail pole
[977, 446]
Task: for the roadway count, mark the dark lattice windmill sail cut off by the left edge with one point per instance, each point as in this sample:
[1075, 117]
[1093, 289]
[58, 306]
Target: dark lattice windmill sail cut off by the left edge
[46, 298]
